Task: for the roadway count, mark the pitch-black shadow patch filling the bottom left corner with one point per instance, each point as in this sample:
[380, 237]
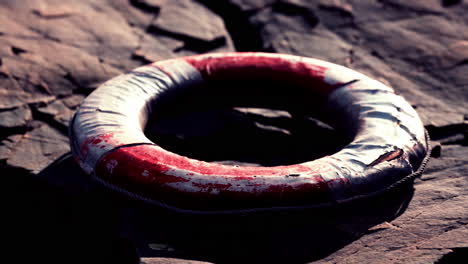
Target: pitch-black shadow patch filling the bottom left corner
[58, 217]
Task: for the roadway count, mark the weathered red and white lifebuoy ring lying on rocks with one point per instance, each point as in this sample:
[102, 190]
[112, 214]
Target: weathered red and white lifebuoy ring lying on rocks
[389, 142]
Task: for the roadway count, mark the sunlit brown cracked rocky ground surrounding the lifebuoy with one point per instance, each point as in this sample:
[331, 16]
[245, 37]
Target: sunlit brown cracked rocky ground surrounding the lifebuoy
[53, 53]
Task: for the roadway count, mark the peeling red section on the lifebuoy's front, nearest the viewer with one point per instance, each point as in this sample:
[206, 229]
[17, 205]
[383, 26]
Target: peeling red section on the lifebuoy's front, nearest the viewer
[146, 168]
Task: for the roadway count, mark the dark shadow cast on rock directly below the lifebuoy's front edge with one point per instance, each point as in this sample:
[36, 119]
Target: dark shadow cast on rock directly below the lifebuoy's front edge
[277, 237]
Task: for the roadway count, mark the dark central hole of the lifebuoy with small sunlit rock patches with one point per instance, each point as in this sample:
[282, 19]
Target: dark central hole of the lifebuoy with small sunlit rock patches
[245, 122]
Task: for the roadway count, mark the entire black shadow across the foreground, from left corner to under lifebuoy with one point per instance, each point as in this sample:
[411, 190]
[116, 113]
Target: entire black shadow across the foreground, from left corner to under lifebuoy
[62, 215]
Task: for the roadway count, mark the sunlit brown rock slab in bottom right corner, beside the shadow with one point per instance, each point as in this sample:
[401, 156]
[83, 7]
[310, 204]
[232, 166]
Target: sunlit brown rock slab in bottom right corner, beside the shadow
[436, 216]
